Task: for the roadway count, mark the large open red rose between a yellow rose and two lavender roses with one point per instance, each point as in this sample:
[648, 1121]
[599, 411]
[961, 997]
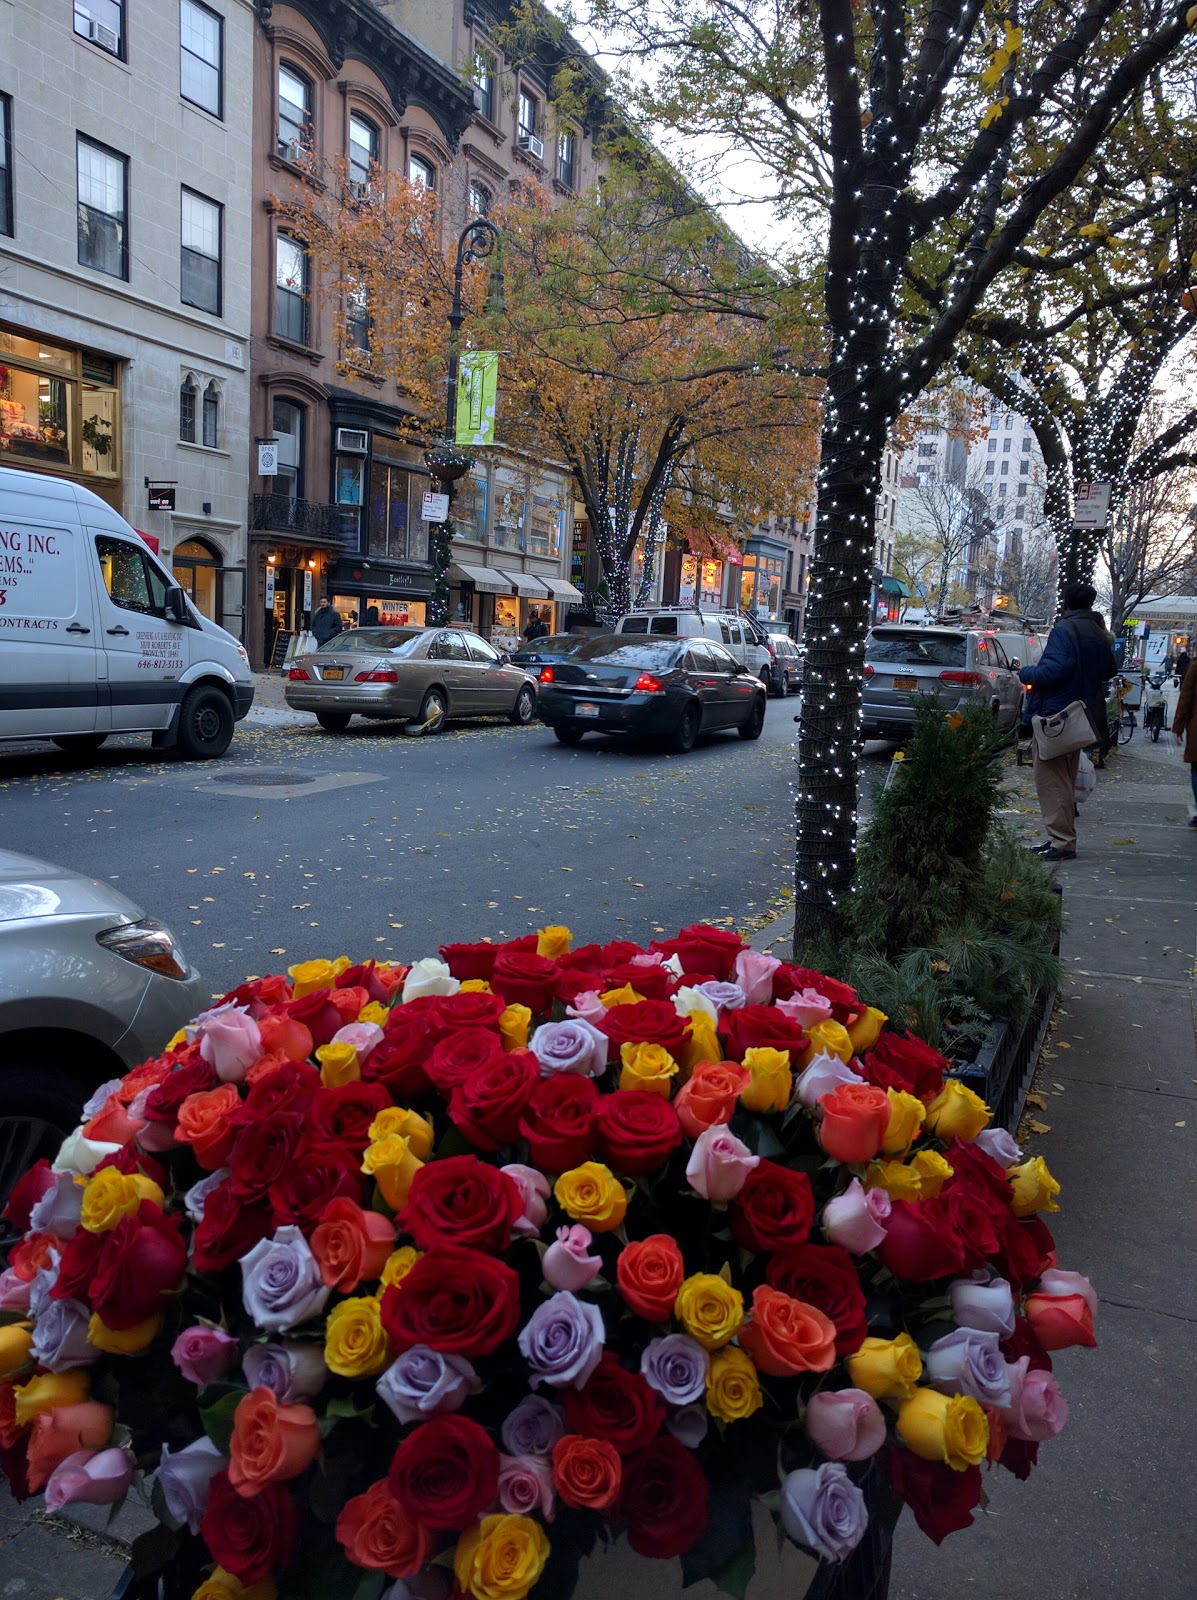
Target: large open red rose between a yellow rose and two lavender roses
[457, 1302]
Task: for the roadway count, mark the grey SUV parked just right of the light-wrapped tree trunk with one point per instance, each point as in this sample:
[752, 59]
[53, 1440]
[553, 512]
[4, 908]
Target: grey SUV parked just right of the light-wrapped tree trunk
[959, 666]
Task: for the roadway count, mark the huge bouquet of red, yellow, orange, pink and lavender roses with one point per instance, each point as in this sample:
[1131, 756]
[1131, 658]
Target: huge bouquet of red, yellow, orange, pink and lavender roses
[386, 1273]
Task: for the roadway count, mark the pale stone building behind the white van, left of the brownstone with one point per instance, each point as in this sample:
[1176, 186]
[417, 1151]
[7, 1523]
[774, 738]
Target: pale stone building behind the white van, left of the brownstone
[126, 268]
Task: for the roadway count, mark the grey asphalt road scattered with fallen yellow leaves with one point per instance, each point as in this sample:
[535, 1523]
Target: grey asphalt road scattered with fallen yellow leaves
[303, 844]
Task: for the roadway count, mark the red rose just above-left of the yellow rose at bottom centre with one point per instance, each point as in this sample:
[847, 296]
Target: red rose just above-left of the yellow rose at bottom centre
[446, 1474]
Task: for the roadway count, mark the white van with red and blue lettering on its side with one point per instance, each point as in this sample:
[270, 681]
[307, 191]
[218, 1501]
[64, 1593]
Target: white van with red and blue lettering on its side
[95, 634]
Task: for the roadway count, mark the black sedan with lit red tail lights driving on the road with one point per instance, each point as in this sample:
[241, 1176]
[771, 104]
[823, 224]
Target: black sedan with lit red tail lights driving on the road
[668, 689]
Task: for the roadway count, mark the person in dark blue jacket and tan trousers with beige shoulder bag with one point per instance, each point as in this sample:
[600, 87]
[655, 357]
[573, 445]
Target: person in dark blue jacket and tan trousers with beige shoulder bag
[1076, 665]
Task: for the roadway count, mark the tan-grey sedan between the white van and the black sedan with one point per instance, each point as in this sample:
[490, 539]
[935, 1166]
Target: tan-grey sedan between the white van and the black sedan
[417, 674]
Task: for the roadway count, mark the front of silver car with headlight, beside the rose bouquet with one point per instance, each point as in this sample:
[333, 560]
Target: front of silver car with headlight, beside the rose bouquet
[89, 990]
